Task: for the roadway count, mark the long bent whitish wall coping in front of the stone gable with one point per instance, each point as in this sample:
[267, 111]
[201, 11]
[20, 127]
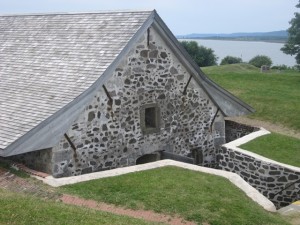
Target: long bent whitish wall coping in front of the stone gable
[232, 177]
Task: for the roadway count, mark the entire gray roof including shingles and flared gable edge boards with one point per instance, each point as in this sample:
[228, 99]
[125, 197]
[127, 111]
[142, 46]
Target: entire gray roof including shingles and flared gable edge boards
[51, 65]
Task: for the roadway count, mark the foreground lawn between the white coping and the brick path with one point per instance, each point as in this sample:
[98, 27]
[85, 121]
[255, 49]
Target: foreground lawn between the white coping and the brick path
[192, 195]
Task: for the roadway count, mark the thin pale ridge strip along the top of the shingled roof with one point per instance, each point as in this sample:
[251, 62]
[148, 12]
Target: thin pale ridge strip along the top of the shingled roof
[79, 13]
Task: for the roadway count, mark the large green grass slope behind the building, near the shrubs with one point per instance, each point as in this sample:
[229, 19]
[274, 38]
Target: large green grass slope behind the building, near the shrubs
[275, 96]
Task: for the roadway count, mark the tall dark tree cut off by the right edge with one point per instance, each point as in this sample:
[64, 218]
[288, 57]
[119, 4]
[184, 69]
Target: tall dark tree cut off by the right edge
[292, 46]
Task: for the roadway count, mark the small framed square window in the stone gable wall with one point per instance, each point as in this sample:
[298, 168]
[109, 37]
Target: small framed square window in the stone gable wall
[150, 118]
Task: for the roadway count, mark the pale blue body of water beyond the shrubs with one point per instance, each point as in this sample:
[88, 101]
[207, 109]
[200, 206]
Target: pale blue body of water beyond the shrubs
[247, 50]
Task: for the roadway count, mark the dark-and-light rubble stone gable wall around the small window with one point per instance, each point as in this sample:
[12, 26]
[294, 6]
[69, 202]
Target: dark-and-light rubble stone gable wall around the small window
[108, 133]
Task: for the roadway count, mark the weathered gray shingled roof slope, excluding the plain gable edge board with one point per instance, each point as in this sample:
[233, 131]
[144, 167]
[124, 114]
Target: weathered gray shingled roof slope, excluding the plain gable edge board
[46, 61]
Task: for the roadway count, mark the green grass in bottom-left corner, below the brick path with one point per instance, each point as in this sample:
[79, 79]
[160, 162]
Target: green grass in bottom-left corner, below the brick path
[20, 209]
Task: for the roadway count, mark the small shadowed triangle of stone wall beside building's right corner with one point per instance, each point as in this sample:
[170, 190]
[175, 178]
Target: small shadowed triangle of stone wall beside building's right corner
[234, 130]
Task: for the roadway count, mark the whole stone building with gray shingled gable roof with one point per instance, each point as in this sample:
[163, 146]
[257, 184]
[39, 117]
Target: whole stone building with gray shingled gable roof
[87, 92]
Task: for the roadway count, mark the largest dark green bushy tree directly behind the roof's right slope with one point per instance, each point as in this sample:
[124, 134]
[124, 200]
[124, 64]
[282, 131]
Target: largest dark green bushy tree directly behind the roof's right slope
[201, 55]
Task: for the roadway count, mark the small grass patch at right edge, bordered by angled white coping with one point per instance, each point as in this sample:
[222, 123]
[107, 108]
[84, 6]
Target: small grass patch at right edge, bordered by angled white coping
[277, 147]
